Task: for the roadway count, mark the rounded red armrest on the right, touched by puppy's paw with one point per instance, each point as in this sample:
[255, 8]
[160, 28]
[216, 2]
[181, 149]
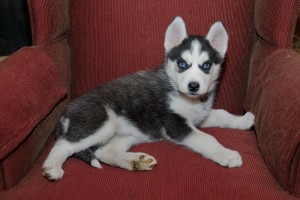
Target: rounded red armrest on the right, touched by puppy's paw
[274, 97]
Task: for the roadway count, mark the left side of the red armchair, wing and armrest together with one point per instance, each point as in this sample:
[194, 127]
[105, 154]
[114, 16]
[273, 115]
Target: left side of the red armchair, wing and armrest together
[40, 93]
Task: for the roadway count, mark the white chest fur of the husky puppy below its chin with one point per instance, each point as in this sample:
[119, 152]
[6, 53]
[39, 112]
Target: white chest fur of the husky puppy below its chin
[191, 109]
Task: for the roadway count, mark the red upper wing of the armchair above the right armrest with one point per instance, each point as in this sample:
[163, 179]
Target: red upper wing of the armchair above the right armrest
[274, 25]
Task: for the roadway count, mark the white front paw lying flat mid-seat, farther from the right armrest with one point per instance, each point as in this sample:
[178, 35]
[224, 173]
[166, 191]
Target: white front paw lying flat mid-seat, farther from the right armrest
[228, 158]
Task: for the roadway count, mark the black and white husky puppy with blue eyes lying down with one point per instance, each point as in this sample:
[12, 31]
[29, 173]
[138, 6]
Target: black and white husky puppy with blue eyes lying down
[167, 103]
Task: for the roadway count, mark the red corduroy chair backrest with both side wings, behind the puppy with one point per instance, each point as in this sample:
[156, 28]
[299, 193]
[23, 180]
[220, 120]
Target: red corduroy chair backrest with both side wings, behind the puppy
[111, 38]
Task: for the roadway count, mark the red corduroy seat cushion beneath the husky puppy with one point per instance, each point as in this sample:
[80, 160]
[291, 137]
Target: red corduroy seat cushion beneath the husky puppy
[180, 174]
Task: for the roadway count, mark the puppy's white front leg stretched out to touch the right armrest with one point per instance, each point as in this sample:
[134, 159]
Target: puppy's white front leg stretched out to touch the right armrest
[223, 119]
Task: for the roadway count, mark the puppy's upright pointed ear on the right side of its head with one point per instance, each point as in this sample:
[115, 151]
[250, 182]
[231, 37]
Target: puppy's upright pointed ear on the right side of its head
[218, 37]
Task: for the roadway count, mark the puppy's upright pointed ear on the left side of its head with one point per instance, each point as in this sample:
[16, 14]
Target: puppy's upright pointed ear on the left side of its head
[175, 33]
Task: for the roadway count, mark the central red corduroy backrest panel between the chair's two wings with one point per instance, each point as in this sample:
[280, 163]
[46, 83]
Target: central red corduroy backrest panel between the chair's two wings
[112, 38]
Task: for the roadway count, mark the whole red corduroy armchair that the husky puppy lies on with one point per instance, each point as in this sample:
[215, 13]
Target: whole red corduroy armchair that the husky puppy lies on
[80, 44]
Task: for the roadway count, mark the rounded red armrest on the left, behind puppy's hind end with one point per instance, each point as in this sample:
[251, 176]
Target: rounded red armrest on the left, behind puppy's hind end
[30, 86]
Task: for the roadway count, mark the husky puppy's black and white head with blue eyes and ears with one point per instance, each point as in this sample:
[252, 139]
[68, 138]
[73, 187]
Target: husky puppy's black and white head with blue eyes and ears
[193, 62]
